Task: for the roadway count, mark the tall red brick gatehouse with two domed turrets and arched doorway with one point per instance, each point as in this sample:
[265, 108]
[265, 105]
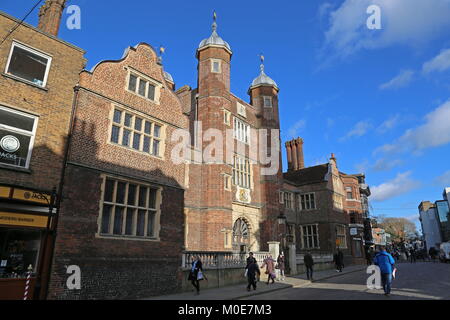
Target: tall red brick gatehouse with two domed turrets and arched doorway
[230, 204]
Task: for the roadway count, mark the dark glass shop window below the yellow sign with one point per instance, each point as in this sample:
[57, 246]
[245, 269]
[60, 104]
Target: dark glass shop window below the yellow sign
[19, 248]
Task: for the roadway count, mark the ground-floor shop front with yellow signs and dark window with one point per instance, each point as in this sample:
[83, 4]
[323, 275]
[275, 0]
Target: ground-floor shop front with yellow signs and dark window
[25, 222]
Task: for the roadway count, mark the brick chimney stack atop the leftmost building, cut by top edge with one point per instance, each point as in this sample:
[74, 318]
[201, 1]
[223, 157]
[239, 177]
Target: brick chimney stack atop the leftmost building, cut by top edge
[50, 16]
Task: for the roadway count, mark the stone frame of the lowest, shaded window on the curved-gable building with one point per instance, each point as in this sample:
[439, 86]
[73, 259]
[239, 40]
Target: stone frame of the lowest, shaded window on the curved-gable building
[126, 206]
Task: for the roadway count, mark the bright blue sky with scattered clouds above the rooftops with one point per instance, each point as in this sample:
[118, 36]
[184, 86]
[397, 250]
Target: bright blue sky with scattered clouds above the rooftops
[378, 99]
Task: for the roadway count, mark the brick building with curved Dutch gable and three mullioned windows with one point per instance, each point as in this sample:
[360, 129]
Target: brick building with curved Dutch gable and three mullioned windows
[121, 216]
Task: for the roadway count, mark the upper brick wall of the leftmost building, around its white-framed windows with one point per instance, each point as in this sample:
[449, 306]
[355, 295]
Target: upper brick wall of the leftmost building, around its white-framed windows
[52, 104]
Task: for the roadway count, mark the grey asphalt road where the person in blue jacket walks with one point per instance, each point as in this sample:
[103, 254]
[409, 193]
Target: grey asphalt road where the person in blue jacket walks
[419, 281]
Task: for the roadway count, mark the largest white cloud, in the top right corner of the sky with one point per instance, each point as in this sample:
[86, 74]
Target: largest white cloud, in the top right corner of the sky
[404, 22]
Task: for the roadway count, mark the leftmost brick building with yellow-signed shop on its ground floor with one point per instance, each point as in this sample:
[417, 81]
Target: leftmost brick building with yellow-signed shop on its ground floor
[38, 74]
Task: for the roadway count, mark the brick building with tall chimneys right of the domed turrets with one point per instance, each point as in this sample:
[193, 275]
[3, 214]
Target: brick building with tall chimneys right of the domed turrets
[323, 207]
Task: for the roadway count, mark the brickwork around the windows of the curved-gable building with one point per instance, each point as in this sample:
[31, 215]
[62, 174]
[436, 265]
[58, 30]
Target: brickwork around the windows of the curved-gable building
[119, 267]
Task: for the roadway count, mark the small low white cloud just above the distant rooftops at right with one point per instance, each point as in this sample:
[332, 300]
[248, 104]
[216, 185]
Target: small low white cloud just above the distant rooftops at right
[400, 185]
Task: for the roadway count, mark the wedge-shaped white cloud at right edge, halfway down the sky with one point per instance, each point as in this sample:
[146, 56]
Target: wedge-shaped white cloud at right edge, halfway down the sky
[434, 132]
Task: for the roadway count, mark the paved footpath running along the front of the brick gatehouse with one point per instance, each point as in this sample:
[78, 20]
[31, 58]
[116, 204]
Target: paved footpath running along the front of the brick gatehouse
[240, 291]
